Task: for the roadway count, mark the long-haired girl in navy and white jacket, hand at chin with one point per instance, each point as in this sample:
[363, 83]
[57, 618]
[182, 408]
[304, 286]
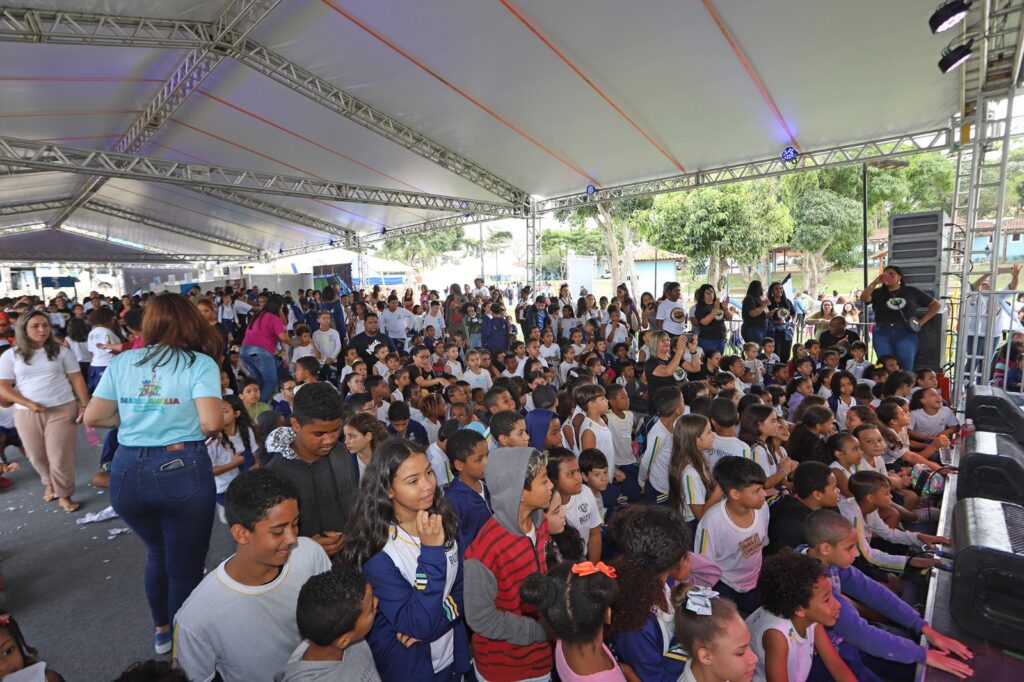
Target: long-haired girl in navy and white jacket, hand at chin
[403, 535]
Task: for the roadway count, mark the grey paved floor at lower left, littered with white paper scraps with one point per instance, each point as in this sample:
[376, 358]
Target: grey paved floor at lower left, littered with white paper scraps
[76, 591]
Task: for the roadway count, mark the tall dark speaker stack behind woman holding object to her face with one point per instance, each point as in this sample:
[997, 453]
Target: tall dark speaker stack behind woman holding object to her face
[917, 245]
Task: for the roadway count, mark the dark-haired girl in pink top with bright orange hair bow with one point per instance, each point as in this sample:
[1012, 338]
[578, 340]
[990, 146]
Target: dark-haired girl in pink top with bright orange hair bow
[576, 603]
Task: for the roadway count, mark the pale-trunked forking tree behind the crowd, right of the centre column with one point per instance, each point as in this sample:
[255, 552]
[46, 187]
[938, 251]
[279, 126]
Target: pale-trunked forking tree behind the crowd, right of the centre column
[616, 221]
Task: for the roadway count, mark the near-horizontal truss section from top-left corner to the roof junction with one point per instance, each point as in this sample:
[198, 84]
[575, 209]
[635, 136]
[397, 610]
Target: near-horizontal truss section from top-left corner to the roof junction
[44, 26]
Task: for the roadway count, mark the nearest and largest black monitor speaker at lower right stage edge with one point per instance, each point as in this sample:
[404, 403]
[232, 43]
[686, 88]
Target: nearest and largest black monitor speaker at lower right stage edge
[988, 591]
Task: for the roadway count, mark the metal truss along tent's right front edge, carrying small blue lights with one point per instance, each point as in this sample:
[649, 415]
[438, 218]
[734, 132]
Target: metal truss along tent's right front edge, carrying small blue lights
[899, 146]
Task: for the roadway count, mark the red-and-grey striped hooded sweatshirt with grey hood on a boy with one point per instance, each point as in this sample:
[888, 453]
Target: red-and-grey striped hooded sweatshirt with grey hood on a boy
[509, 643]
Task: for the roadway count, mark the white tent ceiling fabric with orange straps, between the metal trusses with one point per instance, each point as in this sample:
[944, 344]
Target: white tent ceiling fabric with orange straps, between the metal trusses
[837, 72]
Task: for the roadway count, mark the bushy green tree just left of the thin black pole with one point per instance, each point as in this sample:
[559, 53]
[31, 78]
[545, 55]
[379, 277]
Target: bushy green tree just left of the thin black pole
[828, 232]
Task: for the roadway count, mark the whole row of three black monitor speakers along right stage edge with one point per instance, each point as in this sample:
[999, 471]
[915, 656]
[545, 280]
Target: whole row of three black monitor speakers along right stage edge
[988, 590]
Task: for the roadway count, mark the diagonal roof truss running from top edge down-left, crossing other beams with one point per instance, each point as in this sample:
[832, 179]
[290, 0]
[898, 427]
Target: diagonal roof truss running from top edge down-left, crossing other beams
[240, 16]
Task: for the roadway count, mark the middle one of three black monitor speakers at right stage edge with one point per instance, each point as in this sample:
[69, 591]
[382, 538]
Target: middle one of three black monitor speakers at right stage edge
[992, 467]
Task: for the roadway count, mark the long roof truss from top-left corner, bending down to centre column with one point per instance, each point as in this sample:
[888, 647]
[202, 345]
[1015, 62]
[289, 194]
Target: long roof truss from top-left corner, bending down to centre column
[92, 29]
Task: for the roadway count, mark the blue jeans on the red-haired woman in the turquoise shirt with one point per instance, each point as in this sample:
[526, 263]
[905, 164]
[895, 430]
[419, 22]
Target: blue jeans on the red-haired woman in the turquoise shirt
[173, 513]
